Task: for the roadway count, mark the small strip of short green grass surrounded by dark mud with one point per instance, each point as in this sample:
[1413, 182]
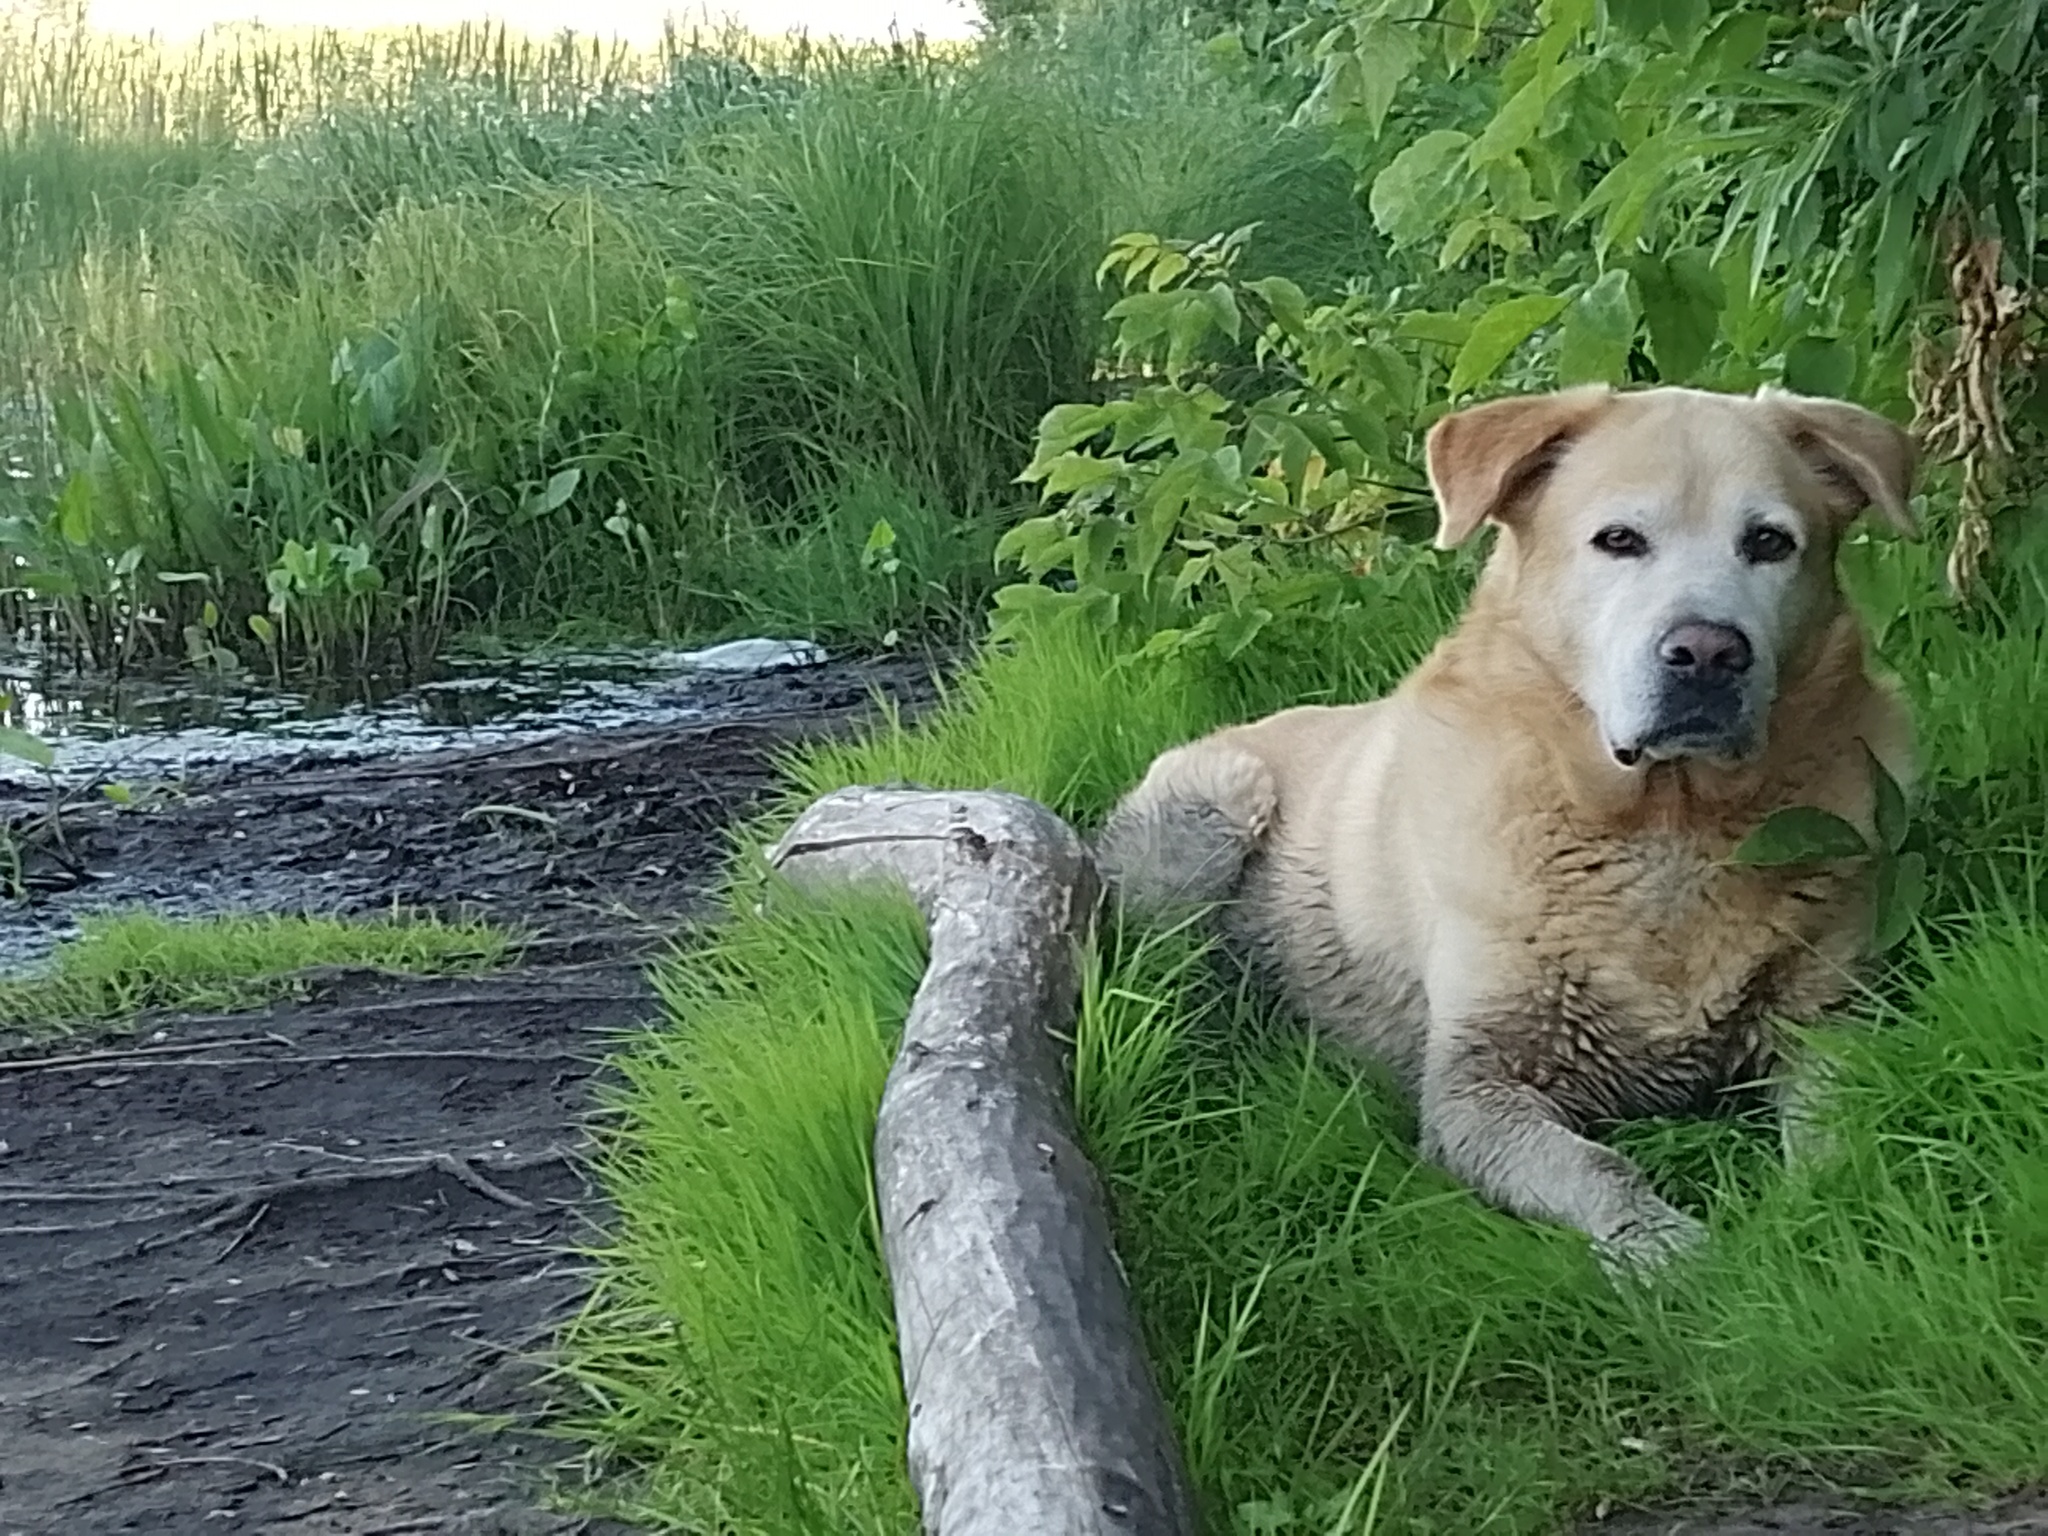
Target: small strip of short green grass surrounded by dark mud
[130, 964]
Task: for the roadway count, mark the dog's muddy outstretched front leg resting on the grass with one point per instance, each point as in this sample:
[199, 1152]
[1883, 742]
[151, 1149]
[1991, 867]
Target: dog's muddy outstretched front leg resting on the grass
[1514, 1148]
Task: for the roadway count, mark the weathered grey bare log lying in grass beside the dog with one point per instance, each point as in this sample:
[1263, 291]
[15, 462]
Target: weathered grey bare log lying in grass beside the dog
[1033, 1410]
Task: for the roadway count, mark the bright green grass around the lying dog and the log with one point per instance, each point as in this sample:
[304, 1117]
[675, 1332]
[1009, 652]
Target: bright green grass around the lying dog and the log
[1353, 1342]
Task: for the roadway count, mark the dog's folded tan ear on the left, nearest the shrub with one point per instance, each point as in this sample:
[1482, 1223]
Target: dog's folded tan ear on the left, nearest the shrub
[1488, 460]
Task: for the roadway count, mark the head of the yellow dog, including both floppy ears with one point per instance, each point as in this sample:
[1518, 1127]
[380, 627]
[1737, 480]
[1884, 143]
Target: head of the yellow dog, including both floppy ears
[1670, 552]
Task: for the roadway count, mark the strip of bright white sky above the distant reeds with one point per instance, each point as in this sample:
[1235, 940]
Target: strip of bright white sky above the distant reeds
[632, 19]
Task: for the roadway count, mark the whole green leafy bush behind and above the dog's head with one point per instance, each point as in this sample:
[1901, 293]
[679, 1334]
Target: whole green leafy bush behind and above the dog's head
[1697, 194]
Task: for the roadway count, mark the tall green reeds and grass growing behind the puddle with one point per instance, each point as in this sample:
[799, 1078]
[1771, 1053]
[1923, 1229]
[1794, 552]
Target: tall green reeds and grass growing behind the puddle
[374, 296]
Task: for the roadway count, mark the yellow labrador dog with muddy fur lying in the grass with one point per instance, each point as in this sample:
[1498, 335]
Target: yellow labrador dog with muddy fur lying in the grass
[1508, 880]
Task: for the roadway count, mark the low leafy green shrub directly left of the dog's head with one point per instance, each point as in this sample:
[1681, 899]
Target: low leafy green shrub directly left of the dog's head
[1195, 515]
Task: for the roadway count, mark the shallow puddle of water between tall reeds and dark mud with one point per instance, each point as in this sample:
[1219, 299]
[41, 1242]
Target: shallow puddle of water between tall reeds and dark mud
[163, 728]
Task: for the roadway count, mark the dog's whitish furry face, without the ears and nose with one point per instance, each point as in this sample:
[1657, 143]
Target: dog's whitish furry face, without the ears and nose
[1676, 509]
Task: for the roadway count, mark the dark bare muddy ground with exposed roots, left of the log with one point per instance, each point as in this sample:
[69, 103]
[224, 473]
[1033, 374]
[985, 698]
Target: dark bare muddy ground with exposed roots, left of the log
[251, 1267]
